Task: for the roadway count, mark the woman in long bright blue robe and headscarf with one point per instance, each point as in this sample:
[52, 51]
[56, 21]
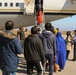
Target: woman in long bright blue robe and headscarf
[61, 51]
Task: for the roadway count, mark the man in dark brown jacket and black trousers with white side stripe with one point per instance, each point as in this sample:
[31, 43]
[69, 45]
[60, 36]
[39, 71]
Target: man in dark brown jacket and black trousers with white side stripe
[34, 52]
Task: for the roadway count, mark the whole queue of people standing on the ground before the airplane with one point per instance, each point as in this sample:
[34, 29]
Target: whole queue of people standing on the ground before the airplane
[41, 50]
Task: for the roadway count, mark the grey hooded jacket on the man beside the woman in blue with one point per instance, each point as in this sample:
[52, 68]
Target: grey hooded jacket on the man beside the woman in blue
[49, 42]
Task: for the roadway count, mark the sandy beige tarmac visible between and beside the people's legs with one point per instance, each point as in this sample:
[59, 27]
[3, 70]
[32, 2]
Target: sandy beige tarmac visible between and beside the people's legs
[70, 67]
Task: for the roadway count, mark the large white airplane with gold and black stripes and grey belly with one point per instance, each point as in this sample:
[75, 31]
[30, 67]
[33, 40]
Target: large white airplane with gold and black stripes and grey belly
[17, 10]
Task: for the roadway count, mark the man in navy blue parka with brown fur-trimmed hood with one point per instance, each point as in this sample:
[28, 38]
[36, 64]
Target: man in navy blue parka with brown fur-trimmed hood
[9, 48]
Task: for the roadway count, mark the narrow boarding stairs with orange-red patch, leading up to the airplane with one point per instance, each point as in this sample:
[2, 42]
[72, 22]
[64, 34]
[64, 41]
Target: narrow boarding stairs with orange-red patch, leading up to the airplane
[39, 14]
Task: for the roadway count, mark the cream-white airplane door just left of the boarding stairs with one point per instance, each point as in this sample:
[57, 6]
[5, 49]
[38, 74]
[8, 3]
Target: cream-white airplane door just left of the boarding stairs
[29, 7]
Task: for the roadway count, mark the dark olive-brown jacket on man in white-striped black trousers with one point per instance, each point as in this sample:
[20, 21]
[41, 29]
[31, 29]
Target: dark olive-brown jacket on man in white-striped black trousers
[33, 49]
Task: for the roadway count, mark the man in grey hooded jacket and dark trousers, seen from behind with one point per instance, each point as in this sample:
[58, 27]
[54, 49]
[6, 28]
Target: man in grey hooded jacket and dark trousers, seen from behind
[49, 44]
